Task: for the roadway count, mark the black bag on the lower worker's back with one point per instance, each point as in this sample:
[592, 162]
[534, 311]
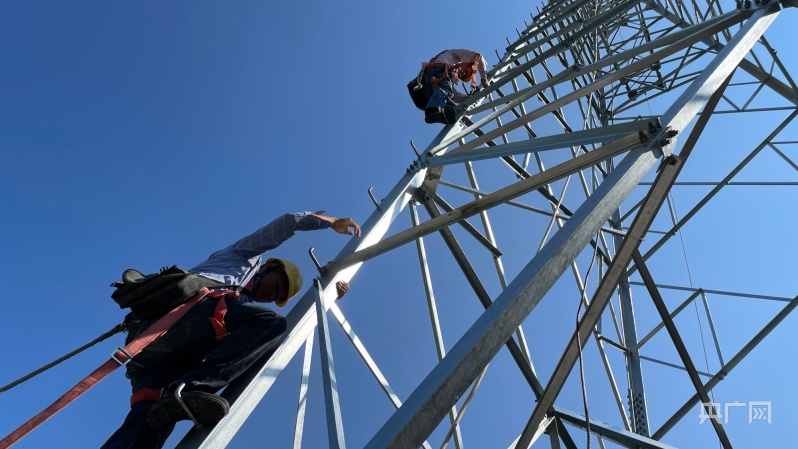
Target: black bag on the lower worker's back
[153, 295]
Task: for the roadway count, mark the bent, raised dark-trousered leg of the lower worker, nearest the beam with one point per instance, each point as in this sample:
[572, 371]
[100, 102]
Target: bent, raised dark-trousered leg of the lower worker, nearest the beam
[253, 331]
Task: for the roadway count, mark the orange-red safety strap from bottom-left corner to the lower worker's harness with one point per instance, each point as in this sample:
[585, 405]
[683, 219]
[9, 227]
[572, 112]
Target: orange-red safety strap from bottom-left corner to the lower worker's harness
[118, 358]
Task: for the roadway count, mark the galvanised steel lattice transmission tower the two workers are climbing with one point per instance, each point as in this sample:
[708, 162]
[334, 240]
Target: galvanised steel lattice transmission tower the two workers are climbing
[559, 198]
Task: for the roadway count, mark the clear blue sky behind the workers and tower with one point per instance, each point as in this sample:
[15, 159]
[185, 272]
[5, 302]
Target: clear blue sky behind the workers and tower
[150, 134]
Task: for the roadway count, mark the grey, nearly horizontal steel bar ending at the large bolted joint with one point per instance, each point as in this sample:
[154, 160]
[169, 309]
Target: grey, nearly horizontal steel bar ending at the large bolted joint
[565, 140]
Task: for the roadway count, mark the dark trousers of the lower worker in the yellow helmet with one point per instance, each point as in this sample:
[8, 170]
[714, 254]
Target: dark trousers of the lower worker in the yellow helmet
[190, 352]
